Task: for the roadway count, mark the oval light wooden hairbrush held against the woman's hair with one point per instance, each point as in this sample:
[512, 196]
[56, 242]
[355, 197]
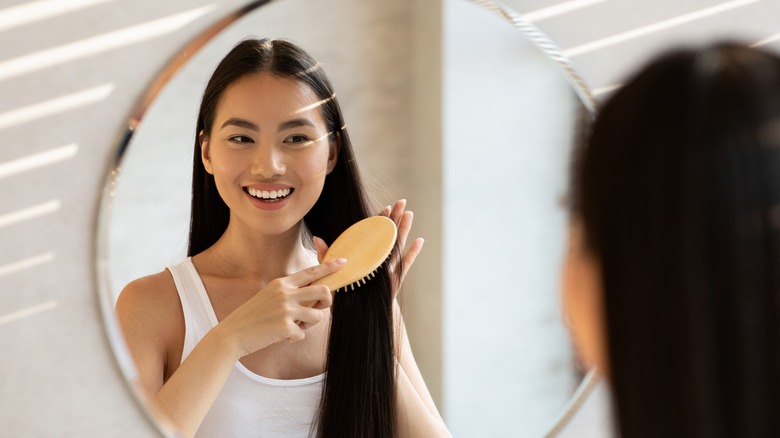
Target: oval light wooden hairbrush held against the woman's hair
[366, 245]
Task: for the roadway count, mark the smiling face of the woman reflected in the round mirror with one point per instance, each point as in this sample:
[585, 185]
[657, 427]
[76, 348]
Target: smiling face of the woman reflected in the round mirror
[269, 151]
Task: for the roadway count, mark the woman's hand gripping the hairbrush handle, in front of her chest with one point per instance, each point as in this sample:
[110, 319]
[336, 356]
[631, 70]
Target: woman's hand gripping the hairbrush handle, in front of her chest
[281, 311]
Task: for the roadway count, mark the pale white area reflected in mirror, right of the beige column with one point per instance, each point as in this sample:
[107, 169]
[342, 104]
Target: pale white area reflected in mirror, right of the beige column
[510, 121]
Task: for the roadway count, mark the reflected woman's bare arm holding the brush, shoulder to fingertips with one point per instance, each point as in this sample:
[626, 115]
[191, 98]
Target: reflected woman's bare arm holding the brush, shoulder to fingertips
[152, 321]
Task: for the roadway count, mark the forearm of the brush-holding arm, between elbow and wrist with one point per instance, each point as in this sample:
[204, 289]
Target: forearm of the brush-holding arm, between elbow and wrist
[189, 393]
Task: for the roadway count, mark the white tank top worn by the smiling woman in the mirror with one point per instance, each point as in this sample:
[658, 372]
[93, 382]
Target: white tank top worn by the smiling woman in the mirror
[249, 405]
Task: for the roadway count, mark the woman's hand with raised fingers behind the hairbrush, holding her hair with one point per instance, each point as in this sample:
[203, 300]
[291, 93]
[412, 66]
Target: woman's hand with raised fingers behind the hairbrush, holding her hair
[399, 265]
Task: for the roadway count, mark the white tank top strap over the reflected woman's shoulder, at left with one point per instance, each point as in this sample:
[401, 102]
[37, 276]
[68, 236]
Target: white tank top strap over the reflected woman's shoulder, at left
[199, 316]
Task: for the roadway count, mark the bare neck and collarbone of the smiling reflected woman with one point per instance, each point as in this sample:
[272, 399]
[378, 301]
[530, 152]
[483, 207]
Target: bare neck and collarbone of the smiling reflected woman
[264, 257]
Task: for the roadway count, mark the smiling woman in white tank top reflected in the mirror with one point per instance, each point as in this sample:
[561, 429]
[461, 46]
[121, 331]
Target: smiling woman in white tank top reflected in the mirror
[233, 341]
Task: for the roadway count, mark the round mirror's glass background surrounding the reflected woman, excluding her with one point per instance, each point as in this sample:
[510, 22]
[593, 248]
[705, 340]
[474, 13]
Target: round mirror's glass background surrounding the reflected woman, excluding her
[502, 364]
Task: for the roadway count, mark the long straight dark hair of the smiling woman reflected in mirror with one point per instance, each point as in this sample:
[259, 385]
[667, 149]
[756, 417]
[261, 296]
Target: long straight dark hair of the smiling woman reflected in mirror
[358, 398]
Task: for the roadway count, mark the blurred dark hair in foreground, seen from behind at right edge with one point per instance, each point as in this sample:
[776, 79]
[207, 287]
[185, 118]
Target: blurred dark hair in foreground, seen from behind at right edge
[678, 189]
